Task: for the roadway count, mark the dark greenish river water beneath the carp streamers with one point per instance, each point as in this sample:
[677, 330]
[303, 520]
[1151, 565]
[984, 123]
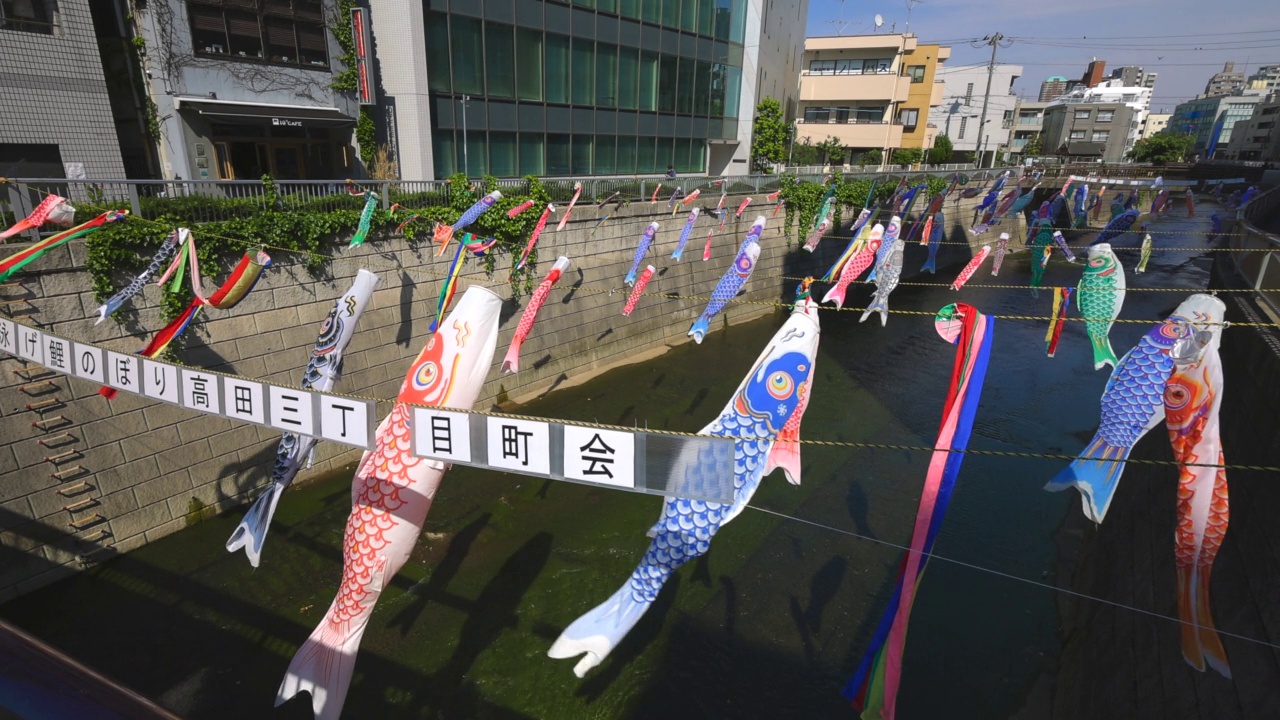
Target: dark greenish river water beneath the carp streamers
[770, 625]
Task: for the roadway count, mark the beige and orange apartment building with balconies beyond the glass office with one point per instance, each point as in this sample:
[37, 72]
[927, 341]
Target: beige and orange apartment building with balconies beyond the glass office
[860, 90]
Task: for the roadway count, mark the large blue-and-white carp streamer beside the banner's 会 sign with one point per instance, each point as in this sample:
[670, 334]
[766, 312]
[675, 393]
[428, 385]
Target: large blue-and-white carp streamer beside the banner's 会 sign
[770, 399]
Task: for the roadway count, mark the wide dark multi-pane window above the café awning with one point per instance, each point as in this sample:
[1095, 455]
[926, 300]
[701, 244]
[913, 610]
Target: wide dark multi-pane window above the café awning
[290, 33]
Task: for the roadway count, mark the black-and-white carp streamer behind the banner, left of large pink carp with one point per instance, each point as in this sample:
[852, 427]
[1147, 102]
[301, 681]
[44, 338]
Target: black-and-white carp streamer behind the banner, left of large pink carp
[321, 375]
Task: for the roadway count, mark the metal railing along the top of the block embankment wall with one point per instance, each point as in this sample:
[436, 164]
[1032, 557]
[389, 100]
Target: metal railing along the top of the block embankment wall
[208, 202]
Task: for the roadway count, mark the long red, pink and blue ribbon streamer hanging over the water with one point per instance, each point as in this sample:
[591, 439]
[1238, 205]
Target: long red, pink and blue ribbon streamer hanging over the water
[874, 689]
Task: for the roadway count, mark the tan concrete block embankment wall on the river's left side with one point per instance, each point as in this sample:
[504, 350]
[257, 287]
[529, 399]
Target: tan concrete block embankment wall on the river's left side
[86, 479]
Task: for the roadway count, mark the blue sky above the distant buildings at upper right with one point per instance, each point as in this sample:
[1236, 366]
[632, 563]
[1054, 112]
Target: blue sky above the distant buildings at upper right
[1060, 38]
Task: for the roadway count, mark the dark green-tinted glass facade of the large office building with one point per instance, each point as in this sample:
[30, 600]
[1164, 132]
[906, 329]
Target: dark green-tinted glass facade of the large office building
[591, 88]
